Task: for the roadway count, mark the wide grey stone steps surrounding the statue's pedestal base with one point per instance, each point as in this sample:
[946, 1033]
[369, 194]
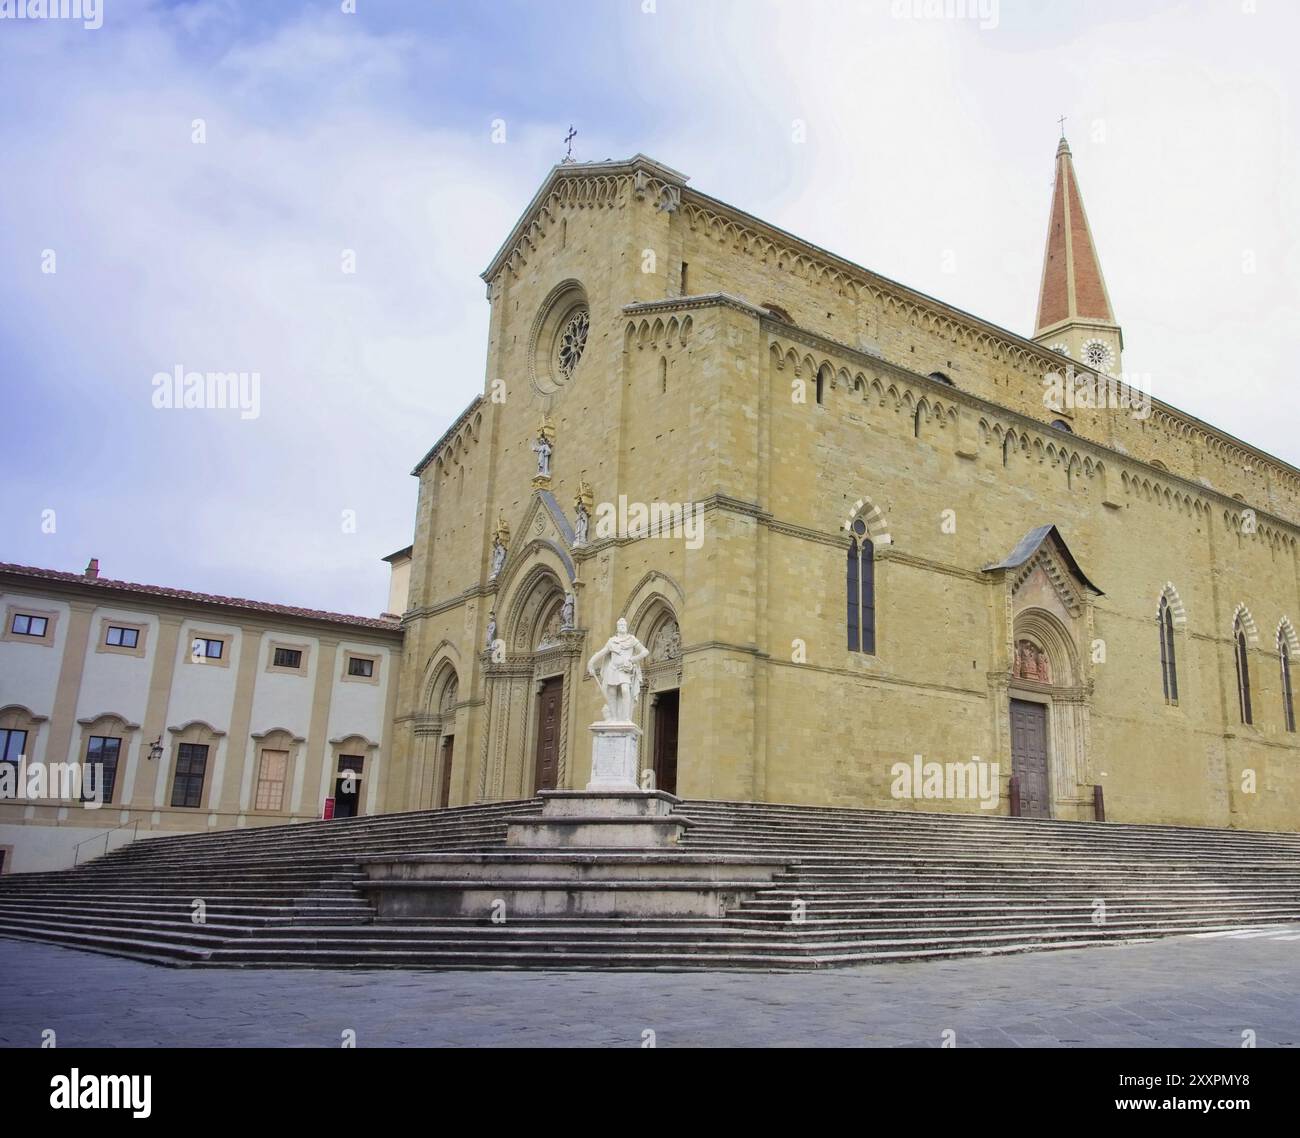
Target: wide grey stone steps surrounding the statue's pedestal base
[861, 886]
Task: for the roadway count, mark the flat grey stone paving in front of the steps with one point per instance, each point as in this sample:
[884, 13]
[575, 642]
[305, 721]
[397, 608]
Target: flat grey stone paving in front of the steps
[1195, 992]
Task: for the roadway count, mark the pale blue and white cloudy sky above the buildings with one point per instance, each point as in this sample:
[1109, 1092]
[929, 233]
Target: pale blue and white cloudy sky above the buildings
[310, 193]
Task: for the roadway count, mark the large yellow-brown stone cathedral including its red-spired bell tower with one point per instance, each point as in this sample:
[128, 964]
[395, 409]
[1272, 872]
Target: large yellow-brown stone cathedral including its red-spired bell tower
[869, 540]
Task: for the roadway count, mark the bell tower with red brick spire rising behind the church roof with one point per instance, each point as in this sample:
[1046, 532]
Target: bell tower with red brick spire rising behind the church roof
[1074, 309]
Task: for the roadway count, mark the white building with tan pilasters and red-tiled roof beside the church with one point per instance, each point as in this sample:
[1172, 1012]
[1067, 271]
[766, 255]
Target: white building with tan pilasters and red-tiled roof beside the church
[180, 712]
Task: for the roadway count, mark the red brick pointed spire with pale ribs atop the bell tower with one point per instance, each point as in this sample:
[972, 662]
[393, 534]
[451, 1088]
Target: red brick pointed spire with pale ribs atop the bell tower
[1072, 289]
